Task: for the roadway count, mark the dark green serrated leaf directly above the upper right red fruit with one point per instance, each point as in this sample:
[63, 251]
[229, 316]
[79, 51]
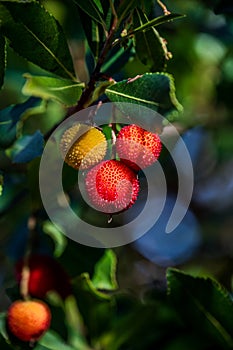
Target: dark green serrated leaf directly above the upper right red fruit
[153, 90]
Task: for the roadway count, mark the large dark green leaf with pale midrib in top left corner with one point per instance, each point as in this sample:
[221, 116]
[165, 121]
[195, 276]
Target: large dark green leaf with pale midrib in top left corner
[36, 35]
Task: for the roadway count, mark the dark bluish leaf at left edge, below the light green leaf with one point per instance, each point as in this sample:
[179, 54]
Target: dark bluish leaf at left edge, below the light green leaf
[9, 118]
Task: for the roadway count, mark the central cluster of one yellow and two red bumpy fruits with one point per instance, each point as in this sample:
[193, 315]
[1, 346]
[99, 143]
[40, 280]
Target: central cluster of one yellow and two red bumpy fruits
[111, 185]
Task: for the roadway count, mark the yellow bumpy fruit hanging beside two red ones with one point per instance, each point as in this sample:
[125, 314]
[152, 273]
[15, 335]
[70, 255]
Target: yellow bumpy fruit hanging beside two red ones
[83, 146]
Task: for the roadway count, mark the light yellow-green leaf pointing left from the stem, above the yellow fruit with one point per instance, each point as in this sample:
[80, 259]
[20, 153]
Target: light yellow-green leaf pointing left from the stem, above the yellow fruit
[64, 91]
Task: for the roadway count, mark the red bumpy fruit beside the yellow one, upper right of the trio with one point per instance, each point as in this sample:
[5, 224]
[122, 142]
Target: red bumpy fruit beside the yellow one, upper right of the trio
[137, 147]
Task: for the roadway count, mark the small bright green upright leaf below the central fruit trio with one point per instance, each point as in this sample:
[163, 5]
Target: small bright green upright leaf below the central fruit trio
[105, 272]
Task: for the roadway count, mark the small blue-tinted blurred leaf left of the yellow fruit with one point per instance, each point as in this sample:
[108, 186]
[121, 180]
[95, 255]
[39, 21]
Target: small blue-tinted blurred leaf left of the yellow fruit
[27, 148]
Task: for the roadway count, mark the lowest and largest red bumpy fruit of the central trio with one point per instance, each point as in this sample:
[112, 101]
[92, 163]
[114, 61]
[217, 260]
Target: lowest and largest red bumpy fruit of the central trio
[111, 186]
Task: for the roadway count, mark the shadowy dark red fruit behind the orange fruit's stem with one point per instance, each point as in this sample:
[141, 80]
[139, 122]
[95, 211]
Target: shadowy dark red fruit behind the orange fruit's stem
[46, 274]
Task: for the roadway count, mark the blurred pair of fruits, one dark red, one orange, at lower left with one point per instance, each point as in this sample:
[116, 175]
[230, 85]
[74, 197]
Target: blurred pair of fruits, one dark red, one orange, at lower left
[27, 320]
